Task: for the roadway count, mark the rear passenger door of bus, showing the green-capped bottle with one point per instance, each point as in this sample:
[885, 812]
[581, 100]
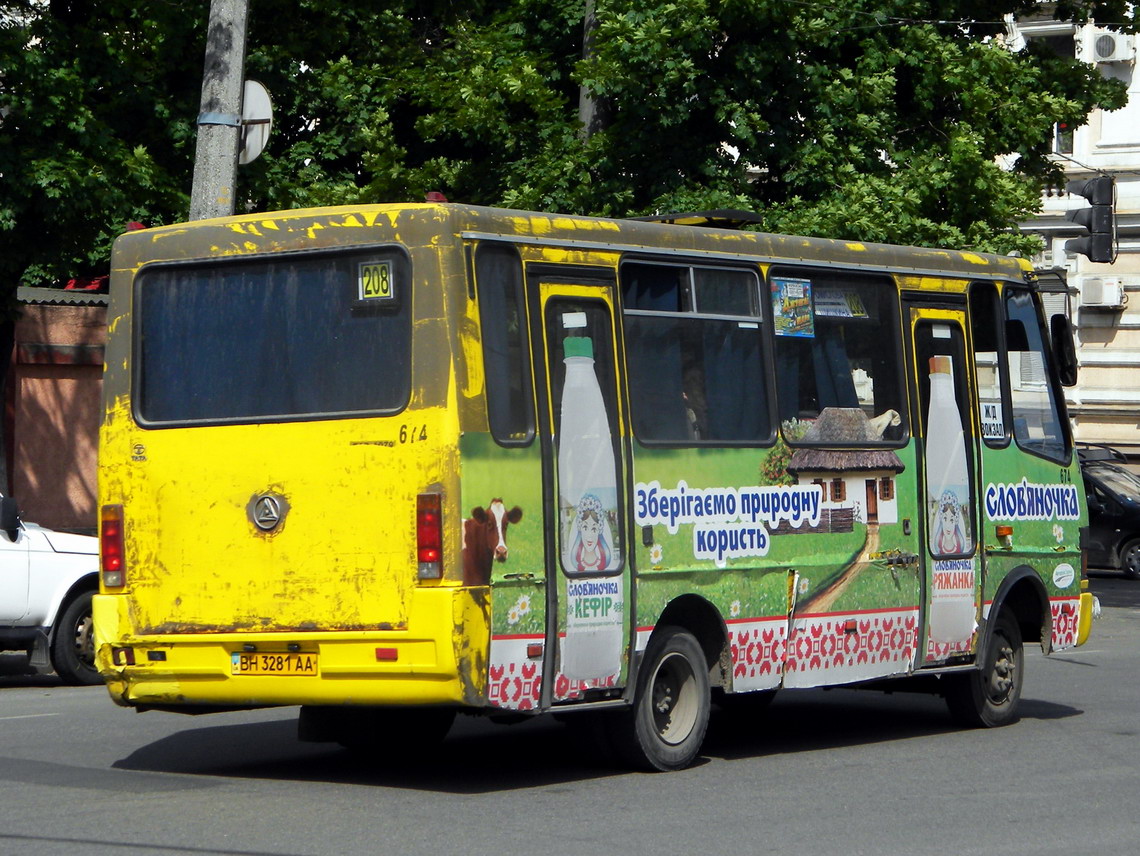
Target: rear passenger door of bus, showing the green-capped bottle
[584, 486]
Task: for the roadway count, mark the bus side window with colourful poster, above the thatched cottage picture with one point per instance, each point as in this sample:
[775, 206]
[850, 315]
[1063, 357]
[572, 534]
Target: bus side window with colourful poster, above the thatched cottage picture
[838, 365]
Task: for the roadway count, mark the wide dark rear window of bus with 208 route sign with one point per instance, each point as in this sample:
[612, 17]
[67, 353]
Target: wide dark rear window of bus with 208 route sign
[281, 338]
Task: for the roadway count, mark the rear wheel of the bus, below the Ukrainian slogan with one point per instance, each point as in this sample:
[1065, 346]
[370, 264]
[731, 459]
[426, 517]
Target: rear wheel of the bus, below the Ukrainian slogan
[666, 727]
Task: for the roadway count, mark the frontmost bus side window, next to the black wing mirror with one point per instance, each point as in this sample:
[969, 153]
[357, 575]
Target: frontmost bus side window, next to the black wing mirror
[1038, 427]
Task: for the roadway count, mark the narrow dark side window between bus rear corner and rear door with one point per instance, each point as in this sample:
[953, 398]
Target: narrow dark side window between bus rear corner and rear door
[510, 410]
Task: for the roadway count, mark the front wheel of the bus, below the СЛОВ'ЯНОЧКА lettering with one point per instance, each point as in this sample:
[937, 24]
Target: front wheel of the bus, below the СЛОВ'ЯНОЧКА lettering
[988, 697]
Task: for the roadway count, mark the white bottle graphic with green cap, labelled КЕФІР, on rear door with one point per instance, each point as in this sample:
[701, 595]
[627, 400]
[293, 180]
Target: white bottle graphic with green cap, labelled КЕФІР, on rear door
[588, 503]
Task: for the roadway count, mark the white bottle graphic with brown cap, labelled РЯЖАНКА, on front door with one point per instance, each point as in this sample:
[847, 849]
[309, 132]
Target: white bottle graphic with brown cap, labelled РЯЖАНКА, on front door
[952, 608]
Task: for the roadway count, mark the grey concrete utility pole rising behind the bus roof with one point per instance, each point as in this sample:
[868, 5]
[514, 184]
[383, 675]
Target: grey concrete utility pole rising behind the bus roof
[221, 116]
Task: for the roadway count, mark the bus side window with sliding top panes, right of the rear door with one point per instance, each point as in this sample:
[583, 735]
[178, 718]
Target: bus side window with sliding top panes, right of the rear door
[695, 355]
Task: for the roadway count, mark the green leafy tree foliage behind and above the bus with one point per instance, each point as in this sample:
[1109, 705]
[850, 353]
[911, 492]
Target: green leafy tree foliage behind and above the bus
[875, 120]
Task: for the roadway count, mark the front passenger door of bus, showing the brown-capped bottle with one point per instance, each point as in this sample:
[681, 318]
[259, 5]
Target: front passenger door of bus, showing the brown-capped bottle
[949, 511]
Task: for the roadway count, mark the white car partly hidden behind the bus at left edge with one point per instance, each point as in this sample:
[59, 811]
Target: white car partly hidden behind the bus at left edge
[47, 580]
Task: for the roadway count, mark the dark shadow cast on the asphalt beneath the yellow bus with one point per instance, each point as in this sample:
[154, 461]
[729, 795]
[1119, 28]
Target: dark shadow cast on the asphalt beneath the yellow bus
[482, 757]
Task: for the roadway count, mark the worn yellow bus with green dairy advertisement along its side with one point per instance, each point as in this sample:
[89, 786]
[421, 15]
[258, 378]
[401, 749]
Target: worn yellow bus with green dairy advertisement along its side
[394, 462]
